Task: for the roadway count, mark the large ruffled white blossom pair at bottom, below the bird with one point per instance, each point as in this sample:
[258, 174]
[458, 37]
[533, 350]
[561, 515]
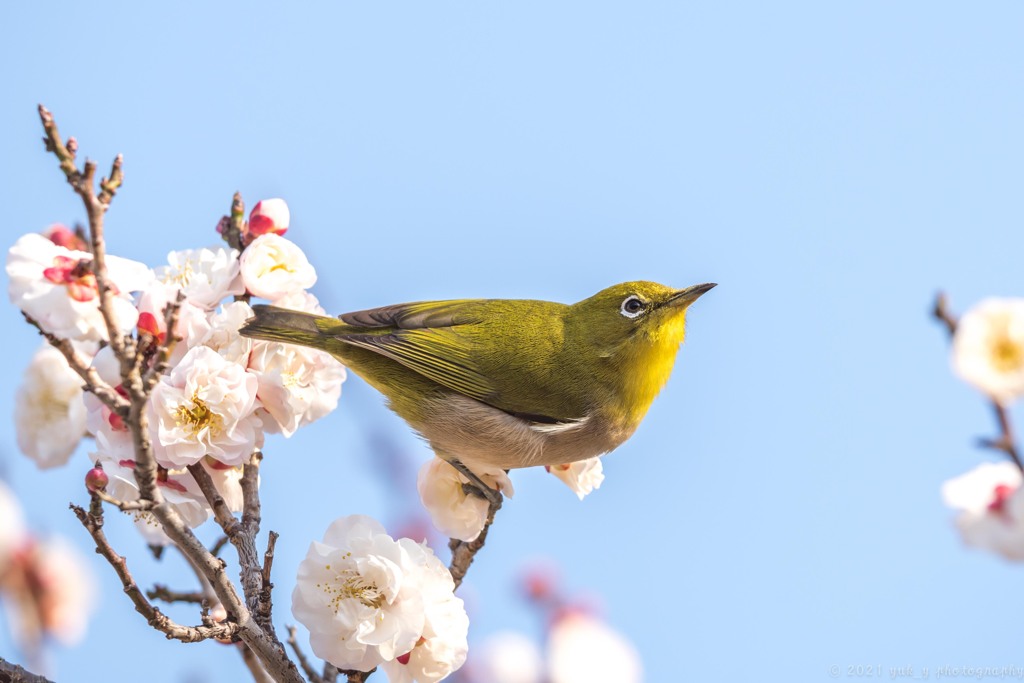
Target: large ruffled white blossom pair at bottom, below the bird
[368, 600]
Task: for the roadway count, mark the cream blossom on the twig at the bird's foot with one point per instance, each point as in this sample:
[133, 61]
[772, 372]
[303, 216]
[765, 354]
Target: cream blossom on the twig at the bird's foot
[454, 511]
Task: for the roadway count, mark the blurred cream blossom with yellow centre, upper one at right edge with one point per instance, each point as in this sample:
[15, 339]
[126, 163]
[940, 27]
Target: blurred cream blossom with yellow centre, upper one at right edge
[989, 349]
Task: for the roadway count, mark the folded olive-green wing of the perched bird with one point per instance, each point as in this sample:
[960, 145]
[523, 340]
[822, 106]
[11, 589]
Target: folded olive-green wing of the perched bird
[479, 348]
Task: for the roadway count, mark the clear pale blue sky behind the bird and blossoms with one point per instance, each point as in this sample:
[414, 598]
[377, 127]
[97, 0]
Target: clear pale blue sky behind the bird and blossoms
[830, 165]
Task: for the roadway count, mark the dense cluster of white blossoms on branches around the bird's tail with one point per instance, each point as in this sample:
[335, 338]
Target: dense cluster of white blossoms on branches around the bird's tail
[223, 393]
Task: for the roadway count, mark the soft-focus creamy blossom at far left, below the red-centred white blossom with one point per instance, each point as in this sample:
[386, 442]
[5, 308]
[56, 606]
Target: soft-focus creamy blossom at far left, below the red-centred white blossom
[50, 412]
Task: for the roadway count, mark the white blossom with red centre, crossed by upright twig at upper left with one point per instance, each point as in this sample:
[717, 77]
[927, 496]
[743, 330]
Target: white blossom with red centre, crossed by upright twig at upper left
[56, 286]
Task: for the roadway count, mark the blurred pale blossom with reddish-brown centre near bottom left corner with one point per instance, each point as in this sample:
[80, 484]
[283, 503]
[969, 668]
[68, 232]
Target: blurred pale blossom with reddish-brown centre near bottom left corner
[50, 592]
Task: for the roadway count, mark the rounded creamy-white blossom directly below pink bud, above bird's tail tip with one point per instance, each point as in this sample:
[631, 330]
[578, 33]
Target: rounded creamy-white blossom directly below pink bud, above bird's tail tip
[274, 267]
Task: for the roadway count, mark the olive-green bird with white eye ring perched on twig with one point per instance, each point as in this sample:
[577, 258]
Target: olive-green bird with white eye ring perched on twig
[507, 383]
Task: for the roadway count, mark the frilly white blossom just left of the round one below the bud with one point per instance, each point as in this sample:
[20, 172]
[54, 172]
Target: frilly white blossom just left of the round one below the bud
[206, 276]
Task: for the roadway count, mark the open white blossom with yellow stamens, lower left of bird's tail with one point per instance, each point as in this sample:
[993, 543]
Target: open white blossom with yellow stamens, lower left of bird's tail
[205, 407]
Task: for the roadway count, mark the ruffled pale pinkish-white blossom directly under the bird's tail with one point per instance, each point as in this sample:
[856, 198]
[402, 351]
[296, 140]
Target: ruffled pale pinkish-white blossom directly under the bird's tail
[297, 386]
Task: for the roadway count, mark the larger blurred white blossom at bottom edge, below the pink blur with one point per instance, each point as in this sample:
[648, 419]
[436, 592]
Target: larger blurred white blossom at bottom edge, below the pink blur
[582, 649]
